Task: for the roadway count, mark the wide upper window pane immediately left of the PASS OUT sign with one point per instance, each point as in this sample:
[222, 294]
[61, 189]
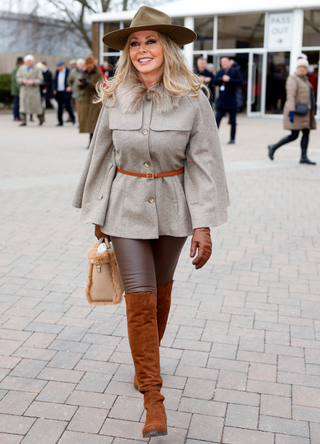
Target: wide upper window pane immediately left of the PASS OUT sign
[241, 31]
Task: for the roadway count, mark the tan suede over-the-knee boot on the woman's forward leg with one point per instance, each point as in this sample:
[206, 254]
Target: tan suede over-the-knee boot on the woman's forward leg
[144, 344]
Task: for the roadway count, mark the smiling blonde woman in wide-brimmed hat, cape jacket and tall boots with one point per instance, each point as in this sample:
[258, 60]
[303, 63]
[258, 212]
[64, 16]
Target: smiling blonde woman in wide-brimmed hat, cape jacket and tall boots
[154, 175]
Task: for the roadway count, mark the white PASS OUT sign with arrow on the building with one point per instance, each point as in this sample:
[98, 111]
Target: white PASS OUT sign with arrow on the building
[280, 30]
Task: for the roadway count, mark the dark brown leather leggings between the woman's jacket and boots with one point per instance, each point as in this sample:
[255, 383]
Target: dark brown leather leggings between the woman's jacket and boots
[145, 263]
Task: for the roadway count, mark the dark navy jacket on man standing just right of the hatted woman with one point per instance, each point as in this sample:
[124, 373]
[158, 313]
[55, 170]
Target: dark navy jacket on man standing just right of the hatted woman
[227, 98]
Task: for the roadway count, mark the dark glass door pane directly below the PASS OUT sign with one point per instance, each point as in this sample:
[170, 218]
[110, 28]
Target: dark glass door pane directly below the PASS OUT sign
[278, 64]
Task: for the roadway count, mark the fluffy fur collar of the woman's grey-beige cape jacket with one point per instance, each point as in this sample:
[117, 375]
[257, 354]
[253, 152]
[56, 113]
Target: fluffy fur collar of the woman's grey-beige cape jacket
[133, 91]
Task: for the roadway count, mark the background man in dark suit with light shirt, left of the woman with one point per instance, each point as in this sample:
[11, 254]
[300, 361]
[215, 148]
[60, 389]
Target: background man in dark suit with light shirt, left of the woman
[62, 96]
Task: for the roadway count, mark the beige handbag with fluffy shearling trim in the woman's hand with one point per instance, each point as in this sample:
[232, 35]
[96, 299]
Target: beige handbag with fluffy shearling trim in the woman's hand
[104, 284]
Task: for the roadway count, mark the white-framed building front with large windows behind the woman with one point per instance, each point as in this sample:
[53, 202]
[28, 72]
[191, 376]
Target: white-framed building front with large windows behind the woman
[265, 39]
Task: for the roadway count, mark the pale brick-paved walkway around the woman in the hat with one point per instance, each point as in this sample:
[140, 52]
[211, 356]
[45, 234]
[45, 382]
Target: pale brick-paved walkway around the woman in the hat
[241, 355]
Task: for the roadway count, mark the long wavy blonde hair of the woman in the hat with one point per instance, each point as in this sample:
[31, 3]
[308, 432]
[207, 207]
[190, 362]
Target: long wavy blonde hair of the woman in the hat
[175, 72]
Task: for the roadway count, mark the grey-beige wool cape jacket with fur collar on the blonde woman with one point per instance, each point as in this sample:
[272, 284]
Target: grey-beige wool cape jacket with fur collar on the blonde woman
[151, 131]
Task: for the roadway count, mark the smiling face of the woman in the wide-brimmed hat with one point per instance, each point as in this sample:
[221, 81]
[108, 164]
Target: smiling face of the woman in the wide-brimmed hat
[146, 54]
